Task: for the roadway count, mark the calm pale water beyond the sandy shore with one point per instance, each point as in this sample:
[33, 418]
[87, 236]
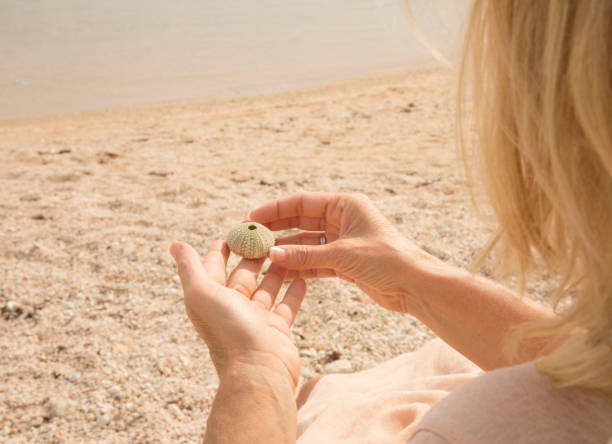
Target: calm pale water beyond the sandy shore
[70, 55]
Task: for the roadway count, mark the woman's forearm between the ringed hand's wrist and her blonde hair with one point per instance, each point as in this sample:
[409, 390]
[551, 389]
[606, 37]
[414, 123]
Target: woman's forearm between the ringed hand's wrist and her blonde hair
[474, 314]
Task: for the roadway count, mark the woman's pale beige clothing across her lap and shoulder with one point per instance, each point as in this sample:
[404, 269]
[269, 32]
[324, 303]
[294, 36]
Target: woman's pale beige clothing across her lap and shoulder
[436, 396]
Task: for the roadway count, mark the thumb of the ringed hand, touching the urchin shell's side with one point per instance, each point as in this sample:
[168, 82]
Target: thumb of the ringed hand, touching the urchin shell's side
[303, 257]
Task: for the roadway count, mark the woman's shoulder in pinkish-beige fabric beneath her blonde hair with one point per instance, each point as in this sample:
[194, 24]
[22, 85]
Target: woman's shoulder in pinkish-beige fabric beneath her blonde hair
[512, 405]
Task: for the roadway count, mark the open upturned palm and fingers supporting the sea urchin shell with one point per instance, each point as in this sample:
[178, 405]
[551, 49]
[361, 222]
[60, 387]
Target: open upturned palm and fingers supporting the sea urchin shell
[235, 316]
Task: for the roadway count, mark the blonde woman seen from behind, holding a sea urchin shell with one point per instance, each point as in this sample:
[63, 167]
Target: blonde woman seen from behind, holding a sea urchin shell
[543, 107]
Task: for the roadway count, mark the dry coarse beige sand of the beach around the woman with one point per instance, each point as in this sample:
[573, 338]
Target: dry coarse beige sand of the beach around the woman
[95, 344]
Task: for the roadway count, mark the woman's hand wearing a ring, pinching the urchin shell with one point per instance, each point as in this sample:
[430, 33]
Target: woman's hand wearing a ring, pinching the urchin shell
[362, 246]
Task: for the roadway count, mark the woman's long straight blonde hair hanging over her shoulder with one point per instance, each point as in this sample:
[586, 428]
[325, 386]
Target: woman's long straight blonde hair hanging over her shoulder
[541, 80]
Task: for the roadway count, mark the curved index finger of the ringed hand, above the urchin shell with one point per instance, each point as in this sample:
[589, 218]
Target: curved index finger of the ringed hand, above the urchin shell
[306, 206]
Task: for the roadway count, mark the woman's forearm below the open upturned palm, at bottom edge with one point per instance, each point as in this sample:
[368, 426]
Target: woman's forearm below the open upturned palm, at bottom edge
[252, 405]
